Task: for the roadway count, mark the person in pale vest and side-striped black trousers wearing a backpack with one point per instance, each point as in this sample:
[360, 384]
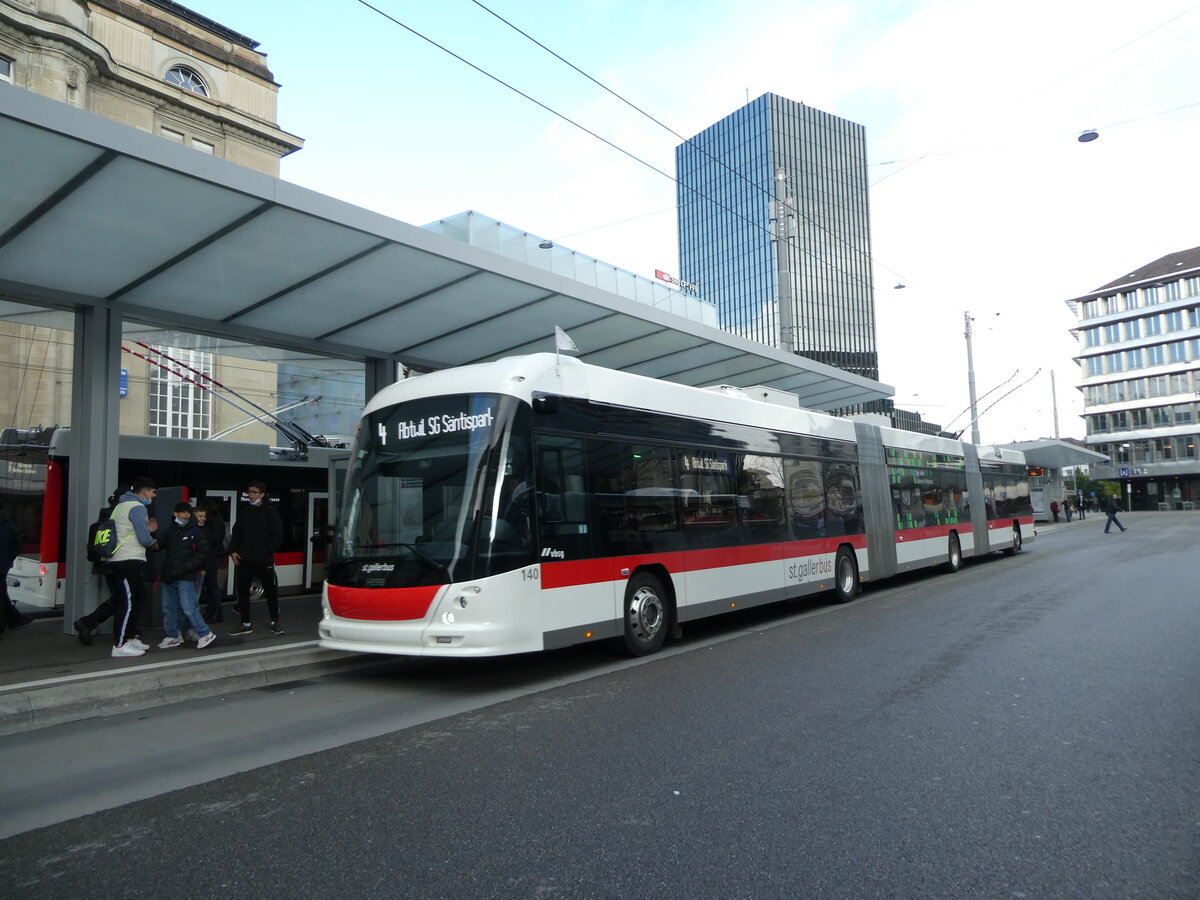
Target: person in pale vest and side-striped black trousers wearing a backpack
[135, 535]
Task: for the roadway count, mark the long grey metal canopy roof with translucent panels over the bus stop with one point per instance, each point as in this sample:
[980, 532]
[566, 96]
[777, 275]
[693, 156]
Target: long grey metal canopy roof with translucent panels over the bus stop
[99, 214]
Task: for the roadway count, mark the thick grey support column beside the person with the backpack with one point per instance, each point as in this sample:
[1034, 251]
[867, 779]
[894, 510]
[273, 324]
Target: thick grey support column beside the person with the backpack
[95, 429]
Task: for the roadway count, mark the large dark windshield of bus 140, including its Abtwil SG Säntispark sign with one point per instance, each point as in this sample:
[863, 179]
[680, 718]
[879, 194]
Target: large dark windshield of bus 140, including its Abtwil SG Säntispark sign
[439, 490]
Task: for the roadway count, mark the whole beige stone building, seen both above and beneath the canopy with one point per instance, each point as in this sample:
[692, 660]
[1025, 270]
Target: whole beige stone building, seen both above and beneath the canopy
[160, 68]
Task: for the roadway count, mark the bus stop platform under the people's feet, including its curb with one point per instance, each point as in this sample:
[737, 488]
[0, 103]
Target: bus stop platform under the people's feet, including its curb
[49, 677]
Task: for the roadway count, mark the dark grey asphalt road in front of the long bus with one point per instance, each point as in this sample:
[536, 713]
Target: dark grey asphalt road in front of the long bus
[1029, 728]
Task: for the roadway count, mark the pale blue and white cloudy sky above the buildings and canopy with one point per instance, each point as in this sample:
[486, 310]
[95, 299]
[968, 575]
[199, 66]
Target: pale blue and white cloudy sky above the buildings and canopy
[982, 199]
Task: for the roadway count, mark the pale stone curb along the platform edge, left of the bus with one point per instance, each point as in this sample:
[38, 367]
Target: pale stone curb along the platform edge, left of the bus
[55, 701]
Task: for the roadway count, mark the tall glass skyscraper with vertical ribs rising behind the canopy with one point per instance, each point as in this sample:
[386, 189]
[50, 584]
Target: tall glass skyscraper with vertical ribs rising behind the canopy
[775, 230]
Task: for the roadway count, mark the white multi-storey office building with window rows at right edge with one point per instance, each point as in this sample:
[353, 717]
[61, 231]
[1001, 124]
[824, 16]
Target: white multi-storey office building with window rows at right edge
[1139, 353]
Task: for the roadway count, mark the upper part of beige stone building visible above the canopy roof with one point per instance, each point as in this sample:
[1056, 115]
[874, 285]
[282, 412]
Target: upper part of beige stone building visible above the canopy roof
[154, 65]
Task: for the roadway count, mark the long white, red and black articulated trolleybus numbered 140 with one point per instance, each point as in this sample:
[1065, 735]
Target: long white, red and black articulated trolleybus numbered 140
[537, 502]
